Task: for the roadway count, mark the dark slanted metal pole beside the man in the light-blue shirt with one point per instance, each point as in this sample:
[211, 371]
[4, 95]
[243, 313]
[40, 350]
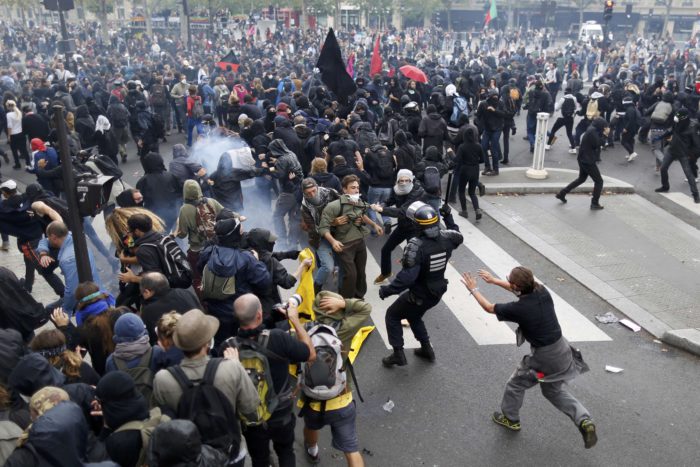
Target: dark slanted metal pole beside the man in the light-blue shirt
[75, 222]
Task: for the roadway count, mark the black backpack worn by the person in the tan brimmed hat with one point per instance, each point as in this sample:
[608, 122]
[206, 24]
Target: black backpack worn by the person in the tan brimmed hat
[208, 408]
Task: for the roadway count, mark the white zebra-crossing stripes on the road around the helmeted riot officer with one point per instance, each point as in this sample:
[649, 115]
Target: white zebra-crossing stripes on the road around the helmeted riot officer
[482, 327]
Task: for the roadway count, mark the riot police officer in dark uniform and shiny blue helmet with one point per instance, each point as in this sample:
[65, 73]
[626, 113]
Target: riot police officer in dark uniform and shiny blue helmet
[421, 282]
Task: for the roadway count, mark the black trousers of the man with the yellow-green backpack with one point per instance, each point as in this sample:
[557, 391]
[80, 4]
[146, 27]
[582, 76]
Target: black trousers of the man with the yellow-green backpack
[282, 436]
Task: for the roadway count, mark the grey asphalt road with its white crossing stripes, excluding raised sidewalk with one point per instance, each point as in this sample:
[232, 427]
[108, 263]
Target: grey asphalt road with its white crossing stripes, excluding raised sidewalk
[646, 415]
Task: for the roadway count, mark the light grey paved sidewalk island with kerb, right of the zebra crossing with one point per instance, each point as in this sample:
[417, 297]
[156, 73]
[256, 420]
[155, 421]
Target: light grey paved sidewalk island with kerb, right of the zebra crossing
[639, 258]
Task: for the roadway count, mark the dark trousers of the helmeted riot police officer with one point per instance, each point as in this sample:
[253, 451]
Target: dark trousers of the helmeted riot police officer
[411, 308]
